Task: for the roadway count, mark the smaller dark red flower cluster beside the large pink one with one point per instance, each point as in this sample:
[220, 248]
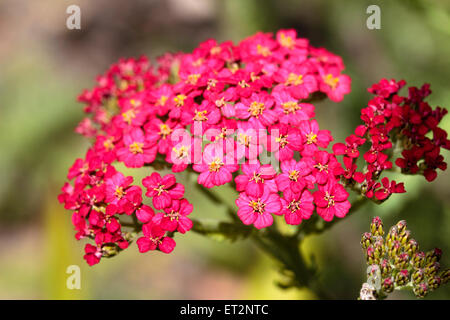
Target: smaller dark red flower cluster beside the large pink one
[394, 123]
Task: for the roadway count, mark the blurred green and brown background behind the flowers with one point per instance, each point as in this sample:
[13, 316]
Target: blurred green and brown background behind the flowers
[43, 66]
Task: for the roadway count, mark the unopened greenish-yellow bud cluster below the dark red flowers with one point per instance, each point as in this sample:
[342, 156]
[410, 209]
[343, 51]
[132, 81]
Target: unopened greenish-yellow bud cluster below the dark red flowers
[395, 261]
